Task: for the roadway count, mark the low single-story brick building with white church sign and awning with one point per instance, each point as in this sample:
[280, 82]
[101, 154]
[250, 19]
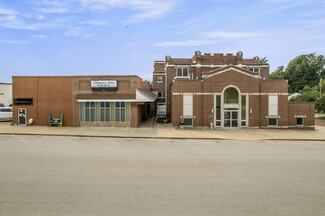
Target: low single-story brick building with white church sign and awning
[84, 100]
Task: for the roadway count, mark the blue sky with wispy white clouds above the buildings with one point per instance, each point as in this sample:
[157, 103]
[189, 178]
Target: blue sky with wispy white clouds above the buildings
[125, 37]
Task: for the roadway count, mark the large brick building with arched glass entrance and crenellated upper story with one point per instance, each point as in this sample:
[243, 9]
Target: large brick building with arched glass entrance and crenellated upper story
[227, 91]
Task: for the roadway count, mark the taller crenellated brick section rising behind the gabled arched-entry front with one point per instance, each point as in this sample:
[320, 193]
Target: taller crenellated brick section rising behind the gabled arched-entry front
[165, 71]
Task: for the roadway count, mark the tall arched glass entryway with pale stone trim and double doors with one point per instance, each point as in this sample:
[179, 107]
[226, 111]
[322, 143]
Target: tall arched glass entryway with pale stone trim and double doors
[230, 108]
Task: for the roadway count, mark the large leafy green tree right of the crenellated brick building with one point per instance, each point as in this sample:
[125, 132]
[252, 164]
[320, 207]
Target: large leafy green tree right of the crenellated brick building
[304, 70]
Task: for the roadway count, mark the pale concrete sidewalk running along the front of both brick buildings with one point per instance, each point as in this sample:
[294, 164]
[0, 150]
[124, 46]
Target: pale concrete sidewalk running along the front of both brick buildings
[167, 132]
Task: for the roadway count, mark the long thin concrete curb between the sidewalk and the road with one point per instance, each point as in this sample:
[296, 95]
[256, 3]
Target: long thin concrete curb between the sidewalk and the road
[165, 138]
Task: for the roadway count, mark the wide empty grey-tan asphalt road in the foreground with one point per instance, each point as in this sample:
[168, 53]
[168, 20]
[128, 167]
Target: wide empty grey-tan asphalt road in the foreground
[87, 176]
